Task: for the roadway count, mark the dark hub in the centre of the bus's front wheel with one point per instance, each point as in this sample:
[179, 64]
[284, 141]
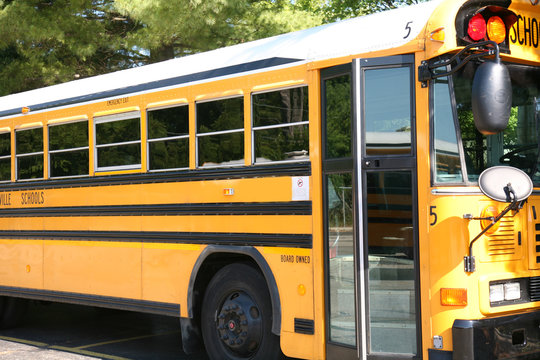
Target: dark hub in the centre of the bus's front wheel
[239, 324]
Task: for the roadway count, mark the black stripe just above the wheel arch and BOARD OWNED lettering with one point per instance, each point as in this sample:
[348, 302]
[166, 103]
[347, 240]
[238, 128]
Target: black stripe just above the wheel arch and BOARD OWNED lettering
[200, 238]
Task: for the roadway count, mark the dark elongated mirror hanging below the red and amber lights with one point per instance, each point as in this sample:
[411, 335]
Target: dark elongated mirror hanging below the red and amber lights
[491, 98]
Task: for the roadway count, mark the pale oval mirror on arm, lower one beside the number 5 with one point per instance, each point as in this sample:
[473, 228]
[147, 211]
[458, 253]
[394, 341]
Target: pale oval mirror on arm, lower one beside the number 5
[499, 182]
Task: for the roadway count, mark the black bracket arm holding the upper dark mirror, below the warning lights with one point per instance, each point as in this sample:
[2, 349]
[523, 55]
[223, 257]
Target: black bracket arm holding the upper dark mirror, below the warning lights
[425, 71]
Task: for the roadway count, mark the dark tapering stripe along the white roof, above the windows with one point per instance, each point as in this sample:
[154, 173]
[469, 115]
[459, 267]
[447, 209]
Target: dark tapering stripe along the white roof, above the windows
[154, 85]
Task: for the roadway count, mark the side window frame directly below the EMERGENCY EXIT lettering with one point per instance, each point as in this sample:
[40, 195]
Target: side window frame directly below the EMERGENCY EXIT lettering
[120, 116]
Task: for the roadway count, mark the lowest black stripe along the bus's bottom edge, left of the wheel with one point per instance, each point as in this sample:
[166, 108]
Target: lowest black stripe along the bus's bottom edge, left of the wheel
[153, 307]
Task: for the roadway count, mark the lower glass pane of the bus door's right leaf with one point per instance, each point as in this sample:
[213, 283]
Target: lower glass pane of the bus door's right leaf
[392, 311]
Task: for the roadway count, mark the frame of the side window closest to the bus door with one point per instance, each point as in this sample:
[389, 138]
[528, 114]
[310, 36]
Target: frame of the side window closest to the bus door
[278, 126]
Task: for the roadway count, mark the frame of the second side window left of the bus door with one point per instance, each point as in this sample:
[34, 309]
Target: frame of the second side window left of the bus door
[220, 132]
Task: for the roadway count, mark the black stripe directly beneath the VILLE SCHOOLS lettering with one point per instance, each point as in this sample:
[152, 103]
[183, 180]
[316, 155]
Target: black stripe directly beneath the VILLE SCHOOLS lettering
[270, 208]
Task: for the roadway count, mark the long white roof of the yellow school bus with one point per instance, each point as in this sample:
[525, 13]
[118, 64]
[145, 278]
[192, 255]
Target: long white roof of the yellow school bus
[344, 38]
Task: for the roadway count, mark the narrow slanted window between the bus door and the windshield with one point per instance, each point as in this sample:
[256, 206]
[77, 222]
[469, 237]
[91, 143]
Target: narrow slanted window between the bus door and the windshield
[447, 167]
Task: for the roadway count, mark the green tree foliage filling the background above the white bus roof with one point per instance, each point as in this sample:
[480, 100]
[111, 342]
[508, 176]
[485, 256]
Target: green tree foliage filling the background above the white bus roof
[46, 42]
